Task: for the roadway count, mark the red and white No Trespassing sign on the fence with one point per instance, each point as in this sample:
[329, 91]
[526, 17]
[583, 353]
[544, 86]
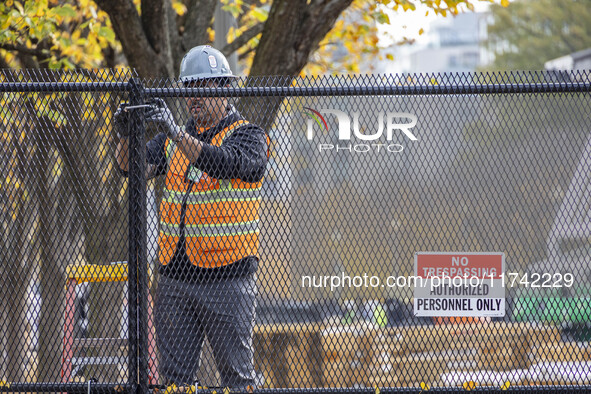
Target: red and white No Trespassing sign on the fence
[459, 284]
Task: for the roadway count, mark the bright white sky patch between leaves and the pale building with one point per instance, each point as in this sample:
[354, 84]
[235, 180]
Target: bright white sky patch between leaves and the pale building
[408, 24]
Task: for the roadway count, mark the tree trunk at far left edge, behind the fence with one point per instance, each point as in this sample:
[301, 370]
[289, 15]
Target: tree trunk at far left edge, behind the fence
[17, 257]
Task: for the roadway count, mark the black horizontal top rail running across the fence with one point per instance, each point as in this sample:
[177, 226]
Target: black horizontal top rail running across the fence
[298, 91]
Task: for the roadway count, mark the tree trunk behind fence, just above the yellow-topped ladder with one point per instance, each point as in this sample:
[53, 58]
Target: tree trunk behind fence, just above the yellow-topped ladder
[99, 212]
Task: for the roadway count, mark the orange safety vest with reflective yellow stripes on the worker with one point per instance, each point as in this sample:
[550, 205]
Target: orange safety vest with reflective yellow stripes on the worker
[221, 220]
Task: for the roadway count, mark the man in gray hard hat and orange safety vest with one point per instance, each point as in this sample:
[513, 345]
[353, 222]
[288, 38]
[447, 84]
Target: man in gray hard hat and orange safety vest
[209, 219]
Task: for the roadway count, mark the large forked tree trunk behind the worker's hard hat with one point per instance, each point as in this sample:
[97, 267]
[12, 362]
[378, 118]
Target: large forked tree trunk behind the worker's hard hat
[291, 33]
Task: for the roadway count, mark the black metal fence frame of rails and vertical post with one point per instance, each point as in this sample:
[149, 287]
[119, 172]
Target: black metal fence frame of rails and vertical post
[137, 285]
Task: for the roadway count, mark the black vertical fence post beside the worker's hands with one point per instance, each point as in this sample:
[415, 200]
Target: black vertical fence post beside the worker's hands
[138, 308]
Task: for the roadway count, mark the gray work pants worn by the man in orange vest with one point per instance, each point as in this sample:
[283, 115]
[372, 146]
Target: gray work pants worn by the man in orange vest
[224, 311]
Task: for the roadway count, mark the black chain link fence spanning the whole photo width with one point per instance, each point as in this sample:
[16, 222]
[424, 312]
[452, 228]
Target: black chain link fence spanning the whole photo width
[412, 232]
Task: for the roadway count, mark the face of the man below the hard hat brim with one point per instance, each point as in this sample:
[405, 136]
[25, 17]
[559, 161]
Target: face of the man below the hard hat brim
[207, 111]
